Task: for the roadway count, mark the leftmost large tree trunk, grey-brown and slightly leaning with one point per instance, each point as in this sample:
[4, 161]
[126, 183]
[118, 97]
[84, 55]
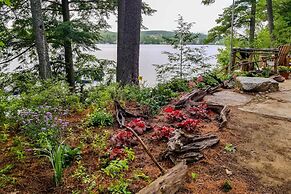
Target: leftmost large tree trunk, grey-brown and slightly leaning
[40, 39]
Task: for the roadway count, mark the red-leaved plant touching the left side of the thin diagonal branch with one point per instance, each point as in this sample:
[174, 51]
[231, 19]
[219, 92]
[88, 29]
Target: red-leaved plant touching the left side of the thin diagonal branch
[123, 138]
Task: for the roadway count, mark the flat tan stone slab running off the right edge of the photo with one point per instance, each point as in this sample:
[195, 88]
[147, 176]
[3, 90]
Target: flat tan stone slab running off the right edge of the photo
[271, 108]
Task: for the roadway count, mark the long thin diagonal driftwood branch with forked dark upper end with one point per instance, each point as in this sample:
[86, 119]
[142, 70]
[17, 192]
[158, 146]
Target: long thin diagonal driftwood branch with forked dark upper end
[121, 113]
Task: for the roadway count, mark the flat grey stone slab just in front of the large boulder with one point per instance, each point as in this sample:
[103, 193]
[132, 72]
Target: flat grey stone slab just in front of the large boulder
[228, 98]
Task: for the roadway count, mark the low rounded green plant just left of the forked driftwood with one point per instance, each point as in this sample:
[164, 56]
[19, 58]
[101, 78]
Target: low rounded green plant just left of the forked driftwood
[100, 118]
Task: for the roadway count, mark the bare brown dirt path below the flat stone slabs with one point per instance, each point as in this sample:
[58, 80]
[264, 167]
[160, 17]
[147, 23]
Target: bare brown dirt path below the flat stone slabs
[264, 146]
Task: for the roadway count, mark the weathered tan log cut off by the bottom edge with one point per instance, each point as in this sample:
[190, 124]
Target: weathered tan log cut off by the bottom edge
[170, 183]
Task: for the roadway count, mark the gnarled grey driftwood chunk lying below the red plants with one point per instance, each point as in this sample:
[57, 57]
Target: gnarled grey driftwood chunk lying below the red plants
[187, 147]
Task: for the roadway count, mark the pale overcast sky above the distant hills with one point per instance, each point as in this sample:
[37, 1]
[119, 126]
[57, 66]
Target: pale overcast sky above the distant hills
[191, 10]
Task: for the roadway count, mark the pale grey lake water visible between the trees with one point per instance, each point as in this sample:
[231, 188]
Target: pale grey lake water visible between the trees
[152, 54]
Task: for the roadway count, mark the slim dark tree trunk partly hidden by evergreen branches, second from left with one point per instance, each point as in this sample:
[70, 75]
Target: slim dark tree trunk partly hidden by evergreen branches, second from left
[70, 73]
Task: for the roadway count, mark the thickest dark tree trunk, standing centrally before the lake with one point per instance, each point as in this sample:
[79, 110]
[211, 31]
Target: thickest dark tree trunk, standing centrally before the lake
[129, 23]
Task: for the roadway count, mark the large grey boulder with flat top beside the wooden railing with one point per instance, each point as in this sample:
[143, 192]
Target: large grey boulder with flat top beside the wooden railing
[257, 84]
